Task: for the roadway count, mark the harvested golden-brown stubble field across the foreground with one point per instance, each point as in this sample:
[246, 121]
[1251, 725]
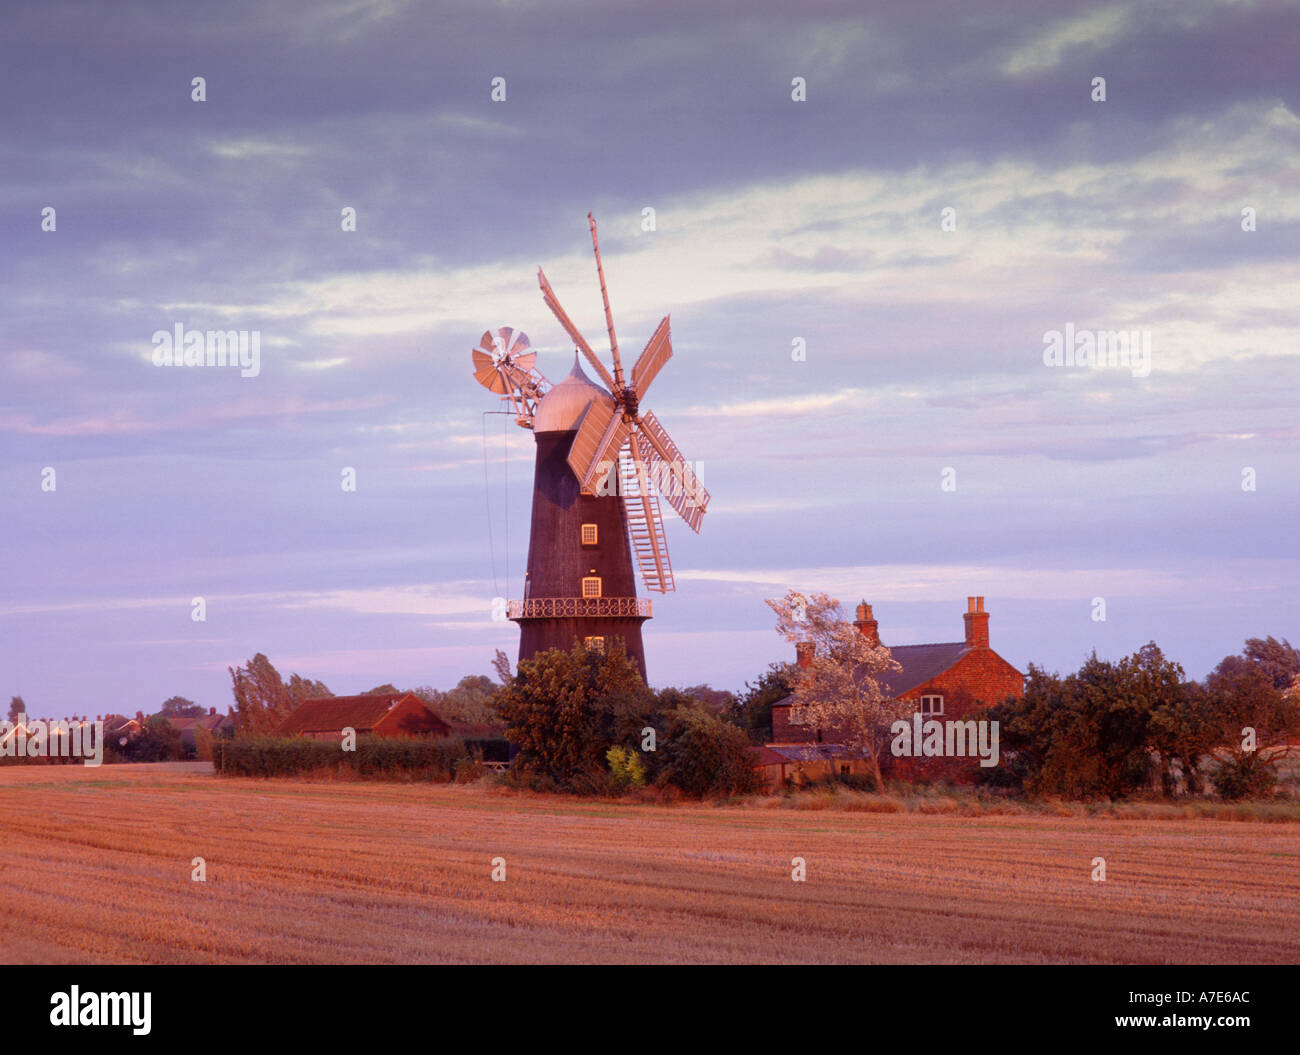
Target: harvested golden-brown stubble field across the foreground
[96, 867]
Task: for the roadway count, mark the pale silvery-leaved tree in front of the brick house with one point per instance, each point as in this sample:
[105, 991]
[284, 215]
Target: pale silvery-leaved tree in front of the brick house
[839, 694]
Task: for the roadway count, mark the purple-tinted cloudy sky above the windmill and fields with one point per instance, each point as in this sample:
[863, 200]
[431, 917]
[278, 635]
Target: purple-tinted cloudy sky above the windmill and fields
[863, 285]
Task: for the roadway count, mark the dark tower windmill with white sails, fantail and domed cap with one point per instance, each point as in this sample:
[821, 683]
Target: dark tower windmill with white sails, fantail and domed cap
[604, 463]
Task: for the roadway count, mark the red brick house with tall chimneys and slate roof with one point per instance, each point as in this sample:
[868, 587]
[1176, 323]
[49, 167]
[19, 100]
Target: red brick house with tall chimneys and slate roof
[947, 681]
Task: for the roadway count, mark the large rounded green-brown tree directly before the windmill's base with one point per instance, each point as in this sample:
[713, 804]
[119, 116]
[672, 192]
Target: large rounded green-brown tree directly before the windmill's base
[566, 710]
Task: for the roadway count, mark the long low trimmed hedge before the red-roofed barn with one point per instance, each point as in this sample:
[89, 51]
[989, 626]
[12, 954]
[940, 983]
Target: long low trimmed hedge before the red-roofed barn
[395, 758]
